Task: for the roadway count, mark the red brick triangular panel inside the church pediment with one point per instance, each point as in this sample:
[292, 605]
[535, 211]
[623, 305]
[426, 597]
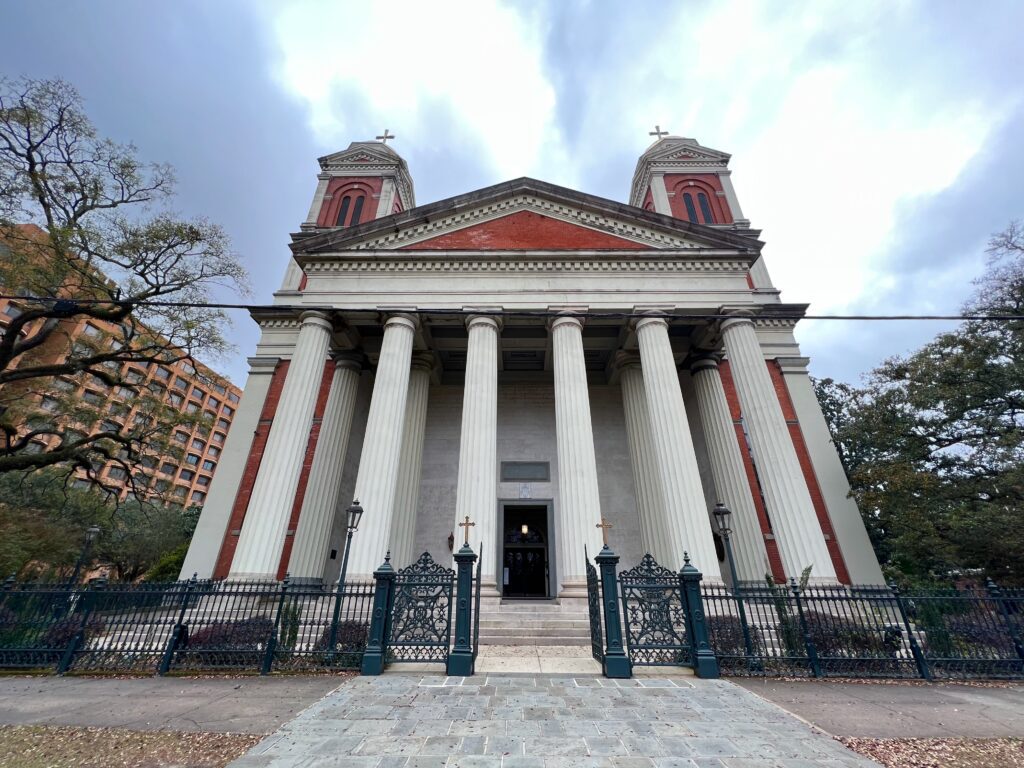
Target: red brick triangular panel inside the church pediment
[525, 231]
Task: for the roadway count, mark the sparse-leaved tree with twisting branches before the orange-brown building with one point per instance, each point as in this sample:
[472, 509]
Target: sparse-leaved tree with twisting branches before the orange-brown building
[86, 221]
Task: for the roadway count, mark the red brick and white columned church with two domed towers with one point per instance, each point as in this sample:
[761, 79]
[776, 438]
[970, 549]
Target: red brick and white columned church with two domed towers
[541, 361]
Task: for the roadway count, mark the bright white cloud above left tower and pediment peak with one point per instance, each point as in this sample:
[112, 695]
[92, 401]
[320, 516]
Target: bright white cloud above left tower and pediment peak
[478, 59]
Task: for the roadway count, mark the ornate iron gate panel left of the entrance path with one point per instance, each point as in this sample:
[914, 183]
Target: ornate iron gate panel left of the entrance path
[421, 615]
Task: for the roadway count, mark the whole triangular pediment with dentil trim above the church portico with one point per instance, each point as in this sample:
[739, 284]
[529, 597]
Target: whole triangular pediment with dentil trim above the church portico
[526, 215]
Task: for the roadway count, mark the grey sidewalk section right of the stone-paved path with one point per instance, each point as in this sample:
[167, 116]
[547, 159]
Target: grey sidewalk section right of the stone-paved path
[900, 711]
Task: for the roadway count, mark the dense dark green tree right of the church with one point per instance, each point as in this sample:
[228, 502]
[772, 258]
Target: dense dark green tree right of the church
[934, 441]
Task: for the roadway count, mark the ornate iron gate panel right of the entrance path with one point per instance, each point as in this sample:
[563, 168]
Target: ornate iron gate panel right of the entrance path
[655, 616]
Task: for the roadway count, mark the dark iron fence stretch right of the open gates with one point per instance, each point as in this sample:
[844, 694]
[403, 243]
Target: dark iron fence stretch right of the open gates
[873, 631]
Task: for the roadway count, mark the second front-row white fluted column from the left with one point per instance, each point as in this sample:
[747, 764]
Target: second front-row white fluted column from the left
[377, 479]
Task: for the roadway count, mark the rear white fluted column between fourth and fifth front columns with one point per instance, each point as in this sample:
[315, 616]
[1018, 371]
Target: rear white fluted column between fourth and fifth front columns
[647, 481]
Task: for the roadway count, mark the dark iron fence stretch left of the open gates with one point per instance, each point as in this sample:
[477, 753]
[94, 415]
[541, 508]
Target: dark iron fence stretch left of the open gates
[183, 627]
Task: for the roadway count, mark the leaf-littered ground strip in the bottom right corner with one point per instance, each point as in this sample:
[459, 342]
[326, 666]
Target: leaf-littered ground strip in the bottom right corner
[942, 753]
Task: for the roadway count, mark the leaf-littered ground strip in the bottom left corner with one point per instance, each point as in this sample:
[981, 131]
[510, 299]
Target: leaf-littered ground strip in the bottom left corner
[46, 747]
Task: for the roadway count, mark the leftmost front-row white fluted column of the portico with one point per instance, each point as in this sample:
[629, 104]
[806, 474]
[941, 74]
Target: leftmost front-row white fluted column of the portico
[263, 537]
